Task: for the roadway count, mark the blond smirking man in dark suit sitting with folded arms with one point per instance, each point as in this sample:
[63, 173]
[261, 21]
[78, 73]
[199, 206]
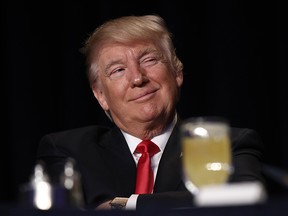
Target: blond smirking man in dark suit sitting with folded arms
[136, 77]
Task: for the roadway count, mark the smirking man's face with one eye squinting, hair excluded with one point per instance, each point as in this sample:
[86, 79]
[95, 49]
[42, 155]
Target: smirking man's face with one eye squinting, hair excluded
[136, 85]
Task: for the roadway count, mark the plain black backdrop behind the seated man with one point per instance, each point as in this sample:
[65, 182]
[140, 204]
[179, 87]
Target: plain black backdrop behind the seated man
[234, 55]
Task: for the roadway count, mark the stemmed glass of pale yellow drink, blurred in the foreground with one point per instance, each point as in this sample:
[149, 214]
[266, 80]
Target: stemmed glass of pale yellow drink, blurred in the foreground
[206, 152]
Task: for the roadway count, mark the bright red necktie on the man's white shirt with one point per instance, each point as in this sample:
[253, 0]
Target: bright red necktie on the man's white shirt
[145, 178]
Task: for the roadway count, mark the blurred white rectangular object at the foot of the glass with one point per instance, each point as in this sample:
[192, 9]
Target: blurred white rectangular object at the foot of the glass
[246, 193]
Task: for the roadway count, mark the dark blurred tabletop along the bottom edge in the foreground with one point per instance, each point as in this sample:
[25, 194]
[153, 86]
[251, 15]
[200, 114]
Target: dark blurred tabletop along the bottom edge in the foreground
[273, 206]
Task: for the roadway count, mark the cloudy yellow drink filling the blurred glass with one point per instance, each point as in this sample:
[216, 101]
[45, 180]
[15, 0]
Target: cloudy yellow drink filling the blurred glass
[206, 161]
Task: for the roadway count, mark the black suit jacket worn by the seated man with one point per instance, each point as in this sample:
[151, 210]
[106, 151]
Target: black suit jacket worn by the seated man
[108, 168]
